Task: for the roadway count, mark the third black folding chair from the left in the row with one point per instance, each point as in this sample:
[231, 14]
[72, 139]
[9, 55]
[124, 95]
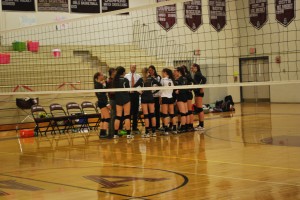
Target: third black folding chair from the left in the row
[76, 116]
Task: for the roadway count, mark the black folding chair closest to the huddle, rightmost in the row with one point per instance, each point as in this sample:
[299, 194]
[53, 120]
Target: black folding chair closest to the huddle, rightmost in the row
[92, 117]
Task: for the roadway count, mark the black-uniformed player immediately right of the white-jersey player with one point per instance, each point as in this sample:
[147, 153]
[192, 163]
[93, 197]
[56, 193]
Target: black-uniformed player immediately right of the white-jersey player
[181, 98]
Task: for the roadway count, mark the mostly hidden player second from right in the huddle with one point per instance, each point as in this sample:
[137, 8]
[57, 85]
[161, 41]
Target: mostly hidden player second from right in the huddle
[190, 116]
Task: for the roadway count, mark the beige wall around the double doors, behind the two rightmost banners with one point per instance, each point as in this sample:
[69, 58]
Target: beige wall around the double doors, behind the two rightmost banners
[274, 40]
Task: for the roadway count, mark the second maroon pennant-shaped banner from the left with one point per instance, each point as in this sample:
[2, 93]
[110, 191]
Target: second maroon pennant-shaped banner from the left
[193, 14]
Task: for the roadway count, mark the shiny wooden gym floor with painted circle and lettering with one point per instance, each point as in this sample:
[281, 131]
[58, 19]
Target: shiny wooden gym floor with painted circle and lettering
[253, 153]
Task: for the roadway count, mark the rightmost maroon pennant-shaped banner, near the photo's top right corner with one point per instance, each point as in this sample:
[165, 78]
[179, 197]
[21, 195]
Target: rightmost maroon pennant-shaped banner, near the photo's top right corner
[285, 11]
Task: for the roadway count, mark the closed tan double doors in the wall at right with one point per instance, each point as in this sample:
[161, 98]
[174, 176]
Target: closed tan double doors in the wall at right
[255, 70]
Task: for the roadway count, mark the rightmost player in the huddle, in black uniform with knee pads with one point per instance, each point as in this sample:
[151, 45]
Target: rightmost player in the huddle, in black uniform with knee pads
[199, 94]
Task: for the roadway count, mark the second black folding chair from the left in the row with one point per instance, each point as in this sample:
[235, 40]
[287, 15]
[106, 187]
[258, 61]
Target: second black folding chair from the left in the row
[61, 121]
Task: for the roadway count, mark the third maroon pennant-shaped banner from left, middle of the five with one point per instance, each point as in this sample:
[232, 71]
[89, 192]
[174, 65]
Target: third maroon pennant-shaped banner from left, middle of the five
[217, 14]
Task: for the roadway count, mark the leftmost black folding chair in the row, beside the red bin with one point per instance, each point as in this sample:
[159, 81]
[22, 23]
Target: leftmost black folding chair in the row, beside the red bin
[41, 119]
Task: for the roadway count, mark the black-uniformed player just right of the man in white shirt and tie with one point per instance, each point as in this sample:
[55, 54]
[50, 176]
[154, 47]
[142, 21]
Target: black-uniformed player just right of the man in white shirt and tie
[147, 101]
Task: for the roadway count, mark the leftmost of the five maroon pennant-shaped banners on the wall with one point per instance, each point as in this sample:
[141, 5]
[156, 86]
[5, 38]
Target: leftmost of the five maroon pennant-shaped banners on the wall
[166, 16]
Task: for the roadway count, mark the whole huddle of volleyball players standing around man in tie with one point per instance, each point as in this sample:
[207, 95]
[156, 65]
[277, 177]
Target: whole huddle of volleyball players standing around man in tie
[172, 109]
